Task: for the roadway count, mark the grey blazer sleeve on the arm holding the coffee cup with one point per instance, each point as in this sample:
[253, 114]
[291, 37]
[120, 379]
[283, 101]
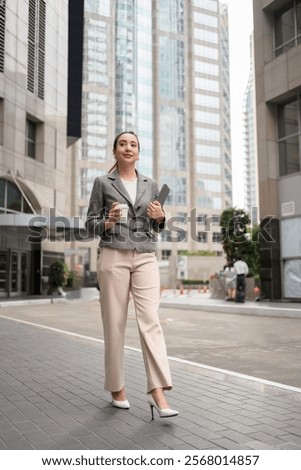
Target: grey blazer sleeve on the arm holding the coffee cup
[95, 221]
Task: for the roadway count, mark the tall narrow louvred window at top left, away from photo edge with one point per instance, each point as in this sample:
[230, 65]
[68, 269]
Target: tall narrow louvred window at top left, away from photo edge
[36, 47]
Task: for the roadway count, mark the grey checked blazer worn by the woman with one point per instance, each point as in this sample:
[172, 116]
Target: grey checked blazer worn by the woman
[139, 232]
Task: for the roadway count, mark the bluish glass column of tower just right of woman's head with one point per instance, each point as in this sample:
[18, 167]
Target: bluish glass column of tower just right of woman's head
[172, 99]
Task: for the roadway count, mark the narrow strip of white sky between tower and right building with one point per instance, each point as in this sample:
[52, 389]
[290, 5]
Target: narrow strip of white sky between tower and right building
[240, 14]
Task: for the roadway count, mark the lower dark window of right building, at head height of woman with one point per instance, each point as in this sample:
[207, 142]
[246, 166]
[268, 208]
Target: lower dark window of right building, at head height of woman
[289, 134]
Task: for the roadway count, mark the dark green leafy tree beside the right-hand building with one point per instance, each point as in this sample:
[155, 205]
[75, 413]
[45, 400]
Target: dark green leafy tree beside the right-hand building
[239, 239]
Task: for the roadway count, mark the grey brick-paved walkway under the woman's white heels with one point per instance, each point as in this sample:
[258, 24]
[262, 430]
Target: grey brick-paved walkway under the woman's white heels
[52, 397]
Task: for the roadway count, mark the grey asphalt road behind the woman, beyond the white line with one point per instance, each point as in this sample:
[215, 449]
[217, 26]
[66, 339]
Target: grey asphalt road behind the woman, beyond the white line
[263, 347]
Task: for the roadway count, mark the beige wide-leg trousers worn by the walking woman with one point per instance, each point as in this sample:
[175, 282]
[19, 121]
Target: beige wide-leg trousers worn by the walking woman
[119, 273]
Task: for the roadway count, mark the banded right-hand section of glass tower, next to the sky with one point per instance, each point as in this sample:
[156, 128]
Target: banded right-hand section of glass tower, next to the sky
[211, 101]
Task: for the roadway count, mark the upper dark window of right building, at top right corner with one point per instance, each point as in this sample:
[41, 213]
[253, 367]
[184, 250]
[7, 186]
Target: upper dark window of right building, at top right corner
[287, 27]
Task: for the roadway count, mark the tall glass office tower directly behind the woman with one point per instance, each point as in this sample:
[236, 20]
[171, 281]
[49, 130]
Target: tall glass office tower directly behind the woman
[161, 69]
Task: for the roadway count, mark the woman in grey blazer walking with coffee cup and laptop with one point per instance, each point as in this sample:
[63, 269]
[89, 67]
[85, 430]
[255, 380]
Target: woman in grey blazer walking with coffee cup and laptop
[127, 264]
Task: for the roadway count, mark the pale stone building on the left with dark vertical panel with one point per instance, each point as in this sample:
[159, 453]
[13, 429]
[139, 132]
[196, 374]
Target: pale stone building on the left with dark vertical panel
[35, 162]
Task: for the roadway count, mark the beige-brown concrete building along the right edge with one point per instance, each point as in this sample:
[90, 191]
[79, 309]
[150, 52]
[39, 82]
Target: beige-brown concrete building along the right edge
[277, 46]
